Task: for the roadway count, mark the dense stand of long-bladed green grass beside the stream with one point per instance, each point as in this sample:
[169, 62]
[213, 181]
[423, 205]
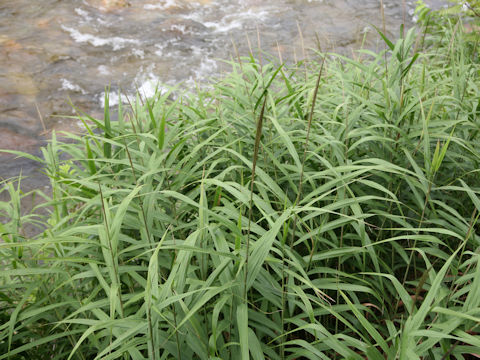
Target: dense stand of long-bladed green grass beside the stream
[327, 210]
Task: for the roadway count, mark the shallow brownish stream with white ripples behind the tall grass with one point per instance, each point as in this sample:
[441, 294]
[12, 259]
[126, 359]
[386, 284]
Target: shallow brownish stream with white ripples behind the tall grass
[55, 50]
